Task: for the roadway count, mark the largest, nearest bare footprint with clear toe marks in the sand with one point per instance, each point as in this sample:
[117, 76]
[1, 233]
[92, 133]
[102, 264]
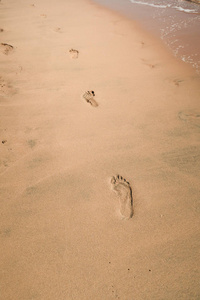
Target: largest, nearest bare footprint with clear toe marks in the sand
[124, 191]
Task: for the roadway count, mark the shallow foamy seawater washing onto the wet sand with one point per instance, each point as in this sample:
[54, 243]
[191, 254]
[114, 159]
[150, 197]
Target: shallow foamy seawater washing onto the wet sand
[176, 22]
